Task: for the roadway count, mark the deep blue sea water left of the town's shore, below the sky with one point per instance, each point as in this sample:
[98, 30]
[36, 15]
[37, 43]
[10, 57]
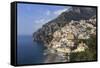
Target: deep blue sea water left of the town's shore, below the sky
[29, 51]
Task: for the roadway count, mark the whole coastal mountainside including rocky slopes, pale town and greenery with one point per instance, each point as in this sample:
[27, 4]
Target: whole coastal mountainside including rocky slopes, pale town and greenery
[69, 33]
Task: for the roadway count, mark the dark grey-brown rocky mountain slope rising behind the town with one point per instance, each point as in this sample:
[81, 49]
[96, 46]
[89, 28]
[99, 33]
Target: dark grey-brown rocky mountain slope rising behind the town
[45, 34]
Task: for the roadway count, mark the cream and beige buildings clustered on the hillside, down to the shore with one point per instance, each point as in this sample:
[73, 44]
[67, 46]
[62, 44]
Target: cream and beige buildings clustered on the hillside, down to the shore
[65, 40]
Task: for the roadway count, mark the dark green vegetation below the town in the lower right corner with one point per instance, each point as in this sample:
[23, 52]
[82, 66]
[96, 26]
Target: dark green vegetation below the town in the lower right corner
[89, 54]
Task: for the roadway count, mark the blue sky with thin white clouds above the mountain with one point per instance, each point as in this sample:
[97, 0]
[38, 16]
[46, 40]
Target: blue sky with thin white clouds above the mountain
[31, 17]
